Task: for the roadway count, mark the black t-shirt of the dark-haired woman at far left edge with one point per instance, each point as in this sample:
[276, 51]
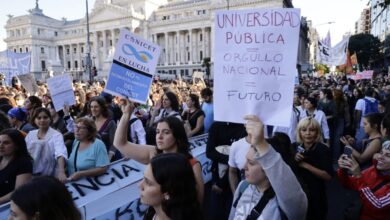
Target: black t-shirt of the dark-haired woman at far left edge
[8, 175]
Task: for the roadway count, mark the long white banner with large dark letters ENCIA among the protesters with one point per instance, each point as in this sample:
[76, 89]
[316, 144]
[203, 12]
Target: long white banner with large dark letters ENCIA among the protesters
[115, 194]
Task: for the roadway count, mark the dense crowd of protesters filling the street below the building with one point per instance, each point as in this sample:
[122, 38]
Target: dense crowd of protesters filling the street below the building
[340, 128]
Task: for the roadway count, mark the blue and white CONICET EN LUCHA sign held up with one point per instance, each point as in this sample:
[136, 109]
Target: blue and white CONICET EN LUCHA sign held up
[133, 67]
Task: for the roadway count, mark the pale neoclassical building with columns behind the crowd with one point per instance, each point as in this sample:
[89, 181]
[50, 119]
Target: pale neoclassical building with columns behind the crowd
[182, 28]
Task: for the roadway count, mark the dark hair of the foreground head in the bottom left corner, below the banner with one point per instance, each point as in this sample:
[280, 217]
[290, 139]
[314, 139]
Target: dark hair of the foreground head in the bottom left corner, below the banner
[47, 196]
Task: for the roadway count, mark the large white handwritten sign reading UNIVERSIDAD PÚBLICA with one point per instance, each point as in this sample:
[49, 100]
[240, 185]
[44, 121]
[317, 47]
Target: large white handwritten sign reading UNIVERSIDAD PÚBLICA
[255, 58]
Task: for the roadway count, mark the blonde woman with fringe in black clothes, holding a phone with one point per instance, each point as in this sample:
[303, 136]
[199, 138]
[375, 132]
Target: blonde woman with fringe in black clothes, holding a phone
[315, 166]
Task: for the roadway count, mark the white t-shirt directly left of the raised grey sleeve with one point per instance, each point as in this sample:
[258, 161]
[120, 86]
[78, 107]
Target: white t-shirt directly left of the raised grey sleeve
[238, 151]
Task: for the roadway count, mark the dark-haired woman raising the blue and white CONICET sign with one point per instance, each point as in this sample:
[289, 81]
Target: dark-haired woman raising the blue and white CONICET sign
[170, 138]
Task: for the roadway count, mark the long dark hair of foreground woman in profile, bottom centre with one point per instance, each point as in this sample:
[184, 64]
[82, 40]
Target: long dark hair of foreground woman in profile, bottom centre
[174, 174]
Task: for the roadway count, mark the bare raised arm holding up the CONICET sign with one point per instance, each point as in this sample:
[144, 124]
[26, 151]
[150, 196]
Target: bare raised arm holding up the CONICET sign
[140, 153]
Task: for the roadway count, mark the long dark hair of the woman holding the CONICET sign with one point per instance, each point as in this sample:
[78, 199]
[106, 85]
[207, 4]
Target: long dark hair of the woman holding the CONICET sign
[179, 133]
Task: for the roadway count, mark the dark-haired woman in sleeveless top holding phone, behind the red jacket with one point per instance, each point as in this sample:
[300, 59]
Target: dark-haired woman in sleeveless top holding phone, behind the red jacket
[372, 145]
